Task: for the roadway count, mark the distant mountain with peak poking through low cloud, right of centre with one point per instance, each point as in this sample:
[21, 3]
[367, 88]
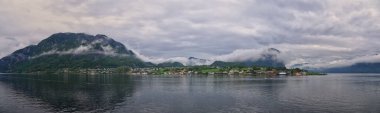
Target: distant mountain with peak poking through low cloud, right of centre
[268, 58]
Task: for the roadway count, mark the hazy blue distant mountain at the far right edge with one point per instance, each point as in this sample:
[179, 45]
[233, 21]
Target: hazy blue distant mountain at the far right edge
[356, 68]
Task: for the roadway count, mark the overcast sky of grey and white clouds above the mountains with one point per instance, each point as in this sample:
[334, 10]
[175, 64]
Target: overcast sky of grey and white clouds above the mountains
[315, 33]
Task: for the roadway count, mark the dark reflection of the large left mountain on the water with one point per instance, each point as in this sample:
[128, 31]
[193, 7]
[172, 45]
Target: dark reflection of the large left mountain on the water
[68, 93]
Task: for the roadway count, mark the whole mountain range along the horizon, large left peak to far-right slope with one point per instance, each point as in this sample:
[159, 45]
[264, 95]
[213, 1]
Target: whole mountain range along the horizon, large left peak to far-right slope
[79, 50]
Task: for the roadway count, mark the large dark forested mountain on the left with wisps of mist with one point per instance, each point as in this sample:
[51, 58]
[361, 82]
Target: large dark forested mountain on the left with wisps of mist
[70, 50]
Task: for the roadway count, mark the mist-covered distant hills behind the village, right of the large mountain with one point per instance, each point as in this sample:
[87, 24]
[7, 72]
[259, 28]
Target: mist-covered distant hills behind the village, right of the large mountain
[262, 57]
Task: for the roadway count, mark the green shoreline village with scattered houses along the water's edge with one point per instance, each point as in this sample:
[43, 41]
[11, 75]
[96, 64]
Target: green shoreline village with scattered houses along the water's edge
[198, 70]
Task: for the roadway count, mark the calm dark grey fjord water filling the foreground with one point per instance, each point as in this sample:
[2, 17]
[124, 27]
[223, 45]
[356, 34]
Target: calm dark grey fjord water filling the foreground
[338, 93]
